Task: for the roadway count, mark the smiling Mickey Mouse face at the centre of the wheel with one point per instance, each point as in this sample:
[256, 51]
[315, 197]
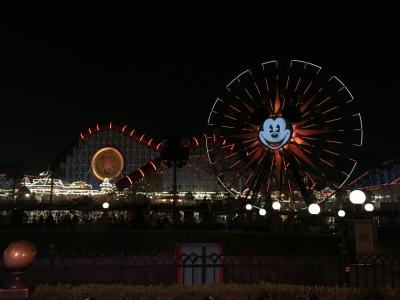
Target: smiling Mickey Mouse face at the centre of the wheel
[275, 133]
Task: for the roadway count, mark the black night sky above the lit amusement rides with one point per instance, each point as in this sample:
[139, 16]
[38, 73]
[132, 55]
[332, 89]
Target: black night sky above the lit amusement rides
[65, 67]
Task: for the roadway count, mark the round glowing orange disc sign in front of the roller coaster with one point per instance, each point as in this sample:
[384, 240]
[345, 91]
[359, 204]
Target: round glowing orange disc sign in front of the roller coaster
[107, 163]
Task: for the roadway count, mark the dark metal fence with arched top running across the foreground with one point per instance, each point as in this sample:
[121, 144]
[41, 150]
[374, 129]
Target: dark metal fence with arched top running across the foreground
[365, 270]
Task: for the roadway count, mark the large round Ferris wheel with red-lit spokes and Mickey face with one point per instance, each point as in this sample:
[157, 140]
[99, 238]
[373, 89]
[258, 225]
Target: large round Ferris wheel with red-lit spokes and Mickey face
[285, 127]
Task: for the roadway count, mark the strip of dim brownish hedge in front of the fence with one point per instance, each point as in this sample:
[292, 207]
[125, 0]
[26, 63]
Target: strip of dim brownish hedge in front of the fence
[261, 291]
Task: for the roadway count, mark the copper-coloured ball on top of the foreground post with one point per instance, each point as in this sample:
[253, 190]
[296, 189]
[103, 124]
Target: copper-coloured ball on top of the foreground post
[19, 255]
